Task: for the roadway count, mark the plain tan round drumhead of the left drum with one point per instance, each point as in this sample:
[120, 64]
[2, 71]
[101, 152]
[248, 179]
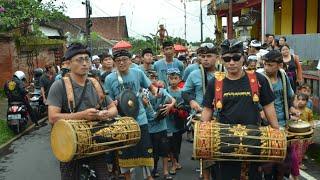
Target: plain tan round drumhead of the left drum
[63, 141]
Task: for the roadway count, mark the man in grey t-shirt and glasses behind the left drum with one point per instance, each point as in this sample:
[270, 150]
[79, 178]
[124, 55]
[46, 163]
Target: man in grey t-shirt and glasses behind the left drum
[86, 101]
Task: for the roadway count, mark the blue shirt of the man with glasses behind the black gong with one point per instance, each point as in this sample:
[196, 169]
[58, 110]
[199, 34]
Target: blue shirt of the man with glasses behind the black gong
[135, 79]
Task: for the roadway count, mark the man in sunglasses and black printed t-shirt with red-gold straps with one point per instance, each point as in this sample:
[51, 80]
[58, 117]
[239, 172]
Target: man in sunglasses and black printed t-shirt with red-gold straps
[237, 106]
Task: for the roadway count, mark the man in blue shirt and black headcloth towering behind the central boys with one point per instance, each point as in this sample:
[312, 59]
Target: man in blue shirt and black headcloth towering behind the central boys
[162, 65]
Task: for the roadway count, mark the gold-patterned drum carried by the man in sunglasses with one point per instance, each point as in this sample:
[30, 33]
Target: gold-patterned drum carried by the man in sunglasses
[235, 142]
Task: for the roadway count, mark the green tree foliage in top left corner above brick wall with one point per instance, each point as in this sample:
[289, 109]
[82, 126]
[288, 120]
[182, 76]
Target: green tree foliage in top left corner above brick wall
[19, 14]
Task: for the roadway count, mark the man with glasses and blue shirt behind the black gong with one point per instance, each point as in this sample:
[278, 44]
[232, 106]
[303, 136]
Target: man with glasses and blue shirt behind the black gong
[133, 79]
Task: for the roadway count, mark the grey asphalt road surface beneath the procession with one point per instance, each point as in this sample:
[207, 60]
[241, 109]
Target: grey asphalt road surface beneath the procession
[30, 158]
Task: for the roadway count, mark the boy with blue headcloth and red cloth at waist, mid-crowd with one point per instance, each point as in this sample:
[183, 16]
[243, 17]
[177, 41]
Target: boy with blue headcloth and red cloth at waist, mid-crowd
[176, 119]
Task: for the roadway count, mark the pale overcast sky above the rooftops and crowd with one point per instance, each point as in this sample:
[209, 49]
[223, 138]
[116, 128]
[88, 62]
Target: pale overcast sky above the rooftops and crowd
[144, 16]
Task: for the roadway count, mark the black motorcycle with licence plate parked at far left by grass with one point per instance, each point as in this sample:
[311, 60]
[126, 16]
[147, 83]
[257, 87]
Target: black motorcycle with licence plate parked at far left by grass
[17, 116]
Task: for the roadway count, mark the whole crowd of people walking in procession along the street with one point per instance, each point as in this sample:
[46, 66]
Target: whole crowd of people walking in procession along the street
[213, 81]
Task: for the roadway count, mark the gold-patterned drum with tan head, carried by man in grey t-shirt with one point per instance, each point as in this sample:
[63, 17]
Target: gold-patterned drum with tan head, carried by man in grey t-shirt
[75, 139]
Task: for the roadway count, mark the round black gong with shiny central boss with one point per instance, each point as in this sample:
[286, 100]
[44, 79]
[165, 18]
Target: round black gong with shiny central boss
[128, 104]
